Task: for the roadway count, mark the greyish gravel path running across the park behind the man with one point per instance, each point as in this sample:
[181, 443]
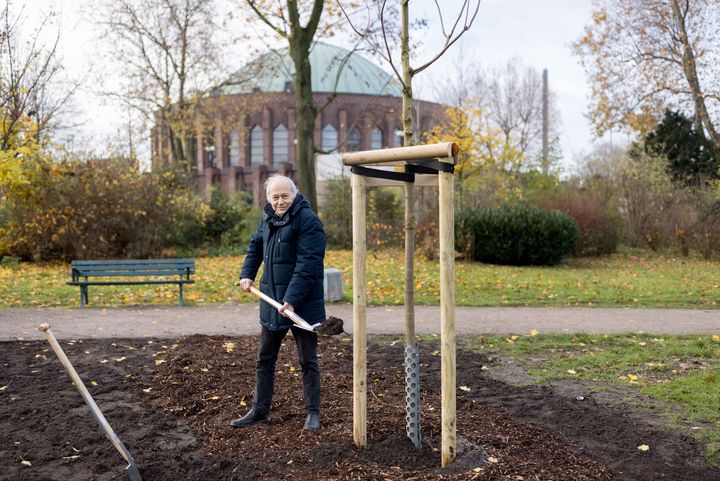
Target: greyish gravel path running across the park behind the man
[241, 319]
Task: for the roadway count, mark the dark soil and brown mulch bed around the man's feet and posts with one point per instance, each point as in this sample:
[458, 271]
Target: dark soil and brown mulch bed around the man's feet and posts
[170, 401]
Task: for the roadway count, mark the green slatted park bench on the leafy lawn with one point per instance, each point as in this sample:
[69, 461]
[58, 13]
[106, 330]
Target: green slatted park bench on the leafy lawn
[105, 273]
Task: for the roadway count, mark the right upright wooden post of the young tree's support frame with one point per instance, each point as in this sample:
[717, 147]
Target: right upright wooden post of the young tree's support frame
[447, 314]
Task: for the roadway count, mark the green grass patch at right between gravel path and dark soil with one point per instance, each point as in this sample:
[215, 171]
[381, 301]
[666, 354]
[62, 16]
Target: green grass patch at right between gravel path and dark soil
[683, 372]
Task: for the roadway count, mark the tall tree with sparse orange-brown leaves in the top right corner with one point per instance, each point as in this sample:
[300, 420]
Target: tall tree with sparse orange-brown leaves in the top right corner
[645, 56]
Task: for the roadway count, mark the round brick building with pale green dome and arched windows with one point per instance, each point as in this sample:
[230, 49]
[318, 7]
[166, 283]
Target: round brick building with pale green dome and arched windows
[245, 129]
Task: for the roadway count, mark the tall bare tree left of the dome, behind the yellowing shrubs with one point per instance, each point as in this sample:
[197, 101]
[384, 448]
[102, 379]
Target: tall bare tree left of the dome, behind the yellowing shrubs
[167, 58]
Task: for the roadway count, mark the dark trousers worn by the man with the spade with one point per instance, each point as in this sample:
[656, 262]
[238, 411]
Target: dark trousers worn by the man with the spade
[270, 341]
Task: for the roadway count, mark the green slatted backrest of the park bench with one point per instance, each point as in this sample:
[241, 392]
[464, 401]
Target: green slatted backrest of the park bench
[129, 267]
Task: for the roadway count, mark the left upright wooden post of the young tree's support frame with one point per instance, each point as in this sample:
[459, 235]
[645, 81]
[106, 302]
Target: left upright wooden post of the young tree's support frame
[359, 196]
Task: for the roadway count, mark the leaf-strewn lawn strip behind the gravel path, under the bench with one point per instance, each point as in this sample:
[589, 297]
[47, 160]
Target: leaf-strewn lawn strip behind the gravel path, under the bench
[636, 278]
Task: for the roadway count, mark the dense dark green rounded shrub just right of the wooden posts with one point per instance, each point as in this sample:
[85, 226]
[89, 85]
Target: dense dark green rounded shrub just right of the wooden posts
[518, 234]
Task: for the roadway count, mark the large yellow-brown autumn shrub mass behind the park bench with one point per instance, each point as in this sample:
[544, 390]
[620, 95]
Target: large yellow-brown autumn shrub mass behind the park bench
[96, 209]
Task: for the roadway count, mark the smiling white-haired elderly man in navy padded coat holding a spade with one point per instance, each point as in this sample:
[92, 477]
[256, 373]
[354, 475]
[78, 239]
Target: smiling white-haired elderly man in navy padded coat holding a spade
[291, 243]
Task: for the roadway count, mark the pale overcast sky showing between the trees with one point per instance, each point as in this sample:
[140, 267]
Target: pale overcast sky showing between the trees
[537, 33]
